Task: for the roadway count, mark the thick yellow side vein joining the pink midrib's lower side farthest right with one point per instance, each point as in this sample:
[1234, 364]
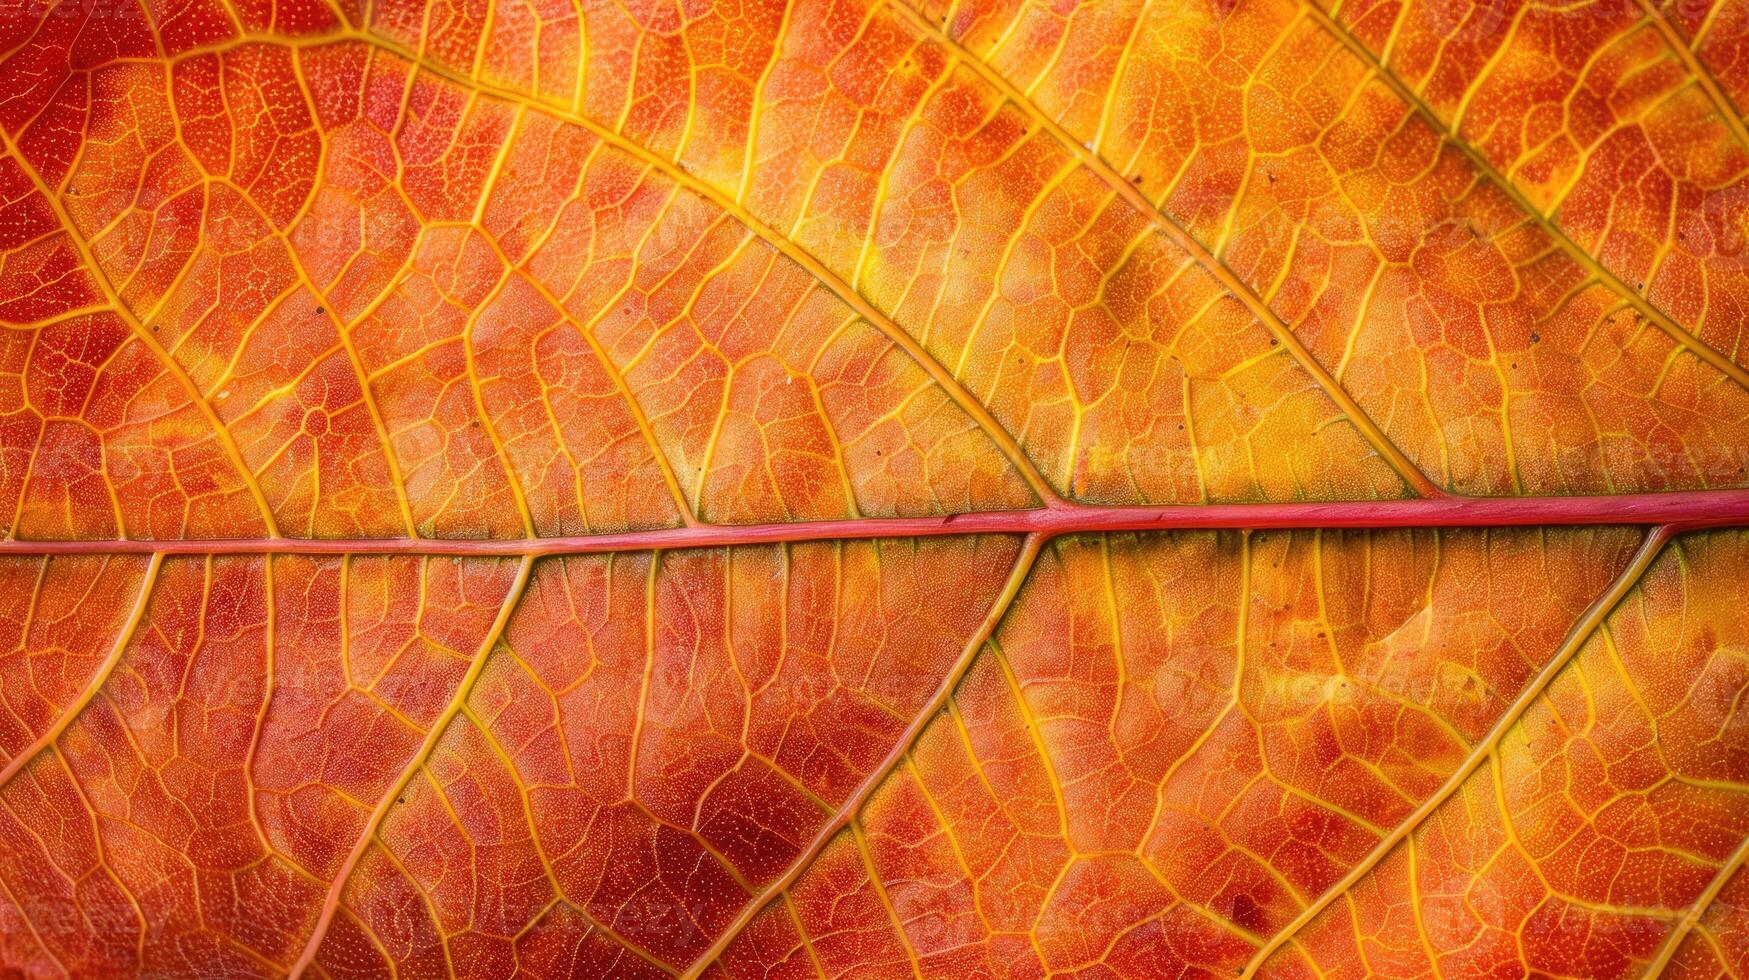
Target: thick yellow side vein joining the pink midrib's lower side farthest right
[1577, 638]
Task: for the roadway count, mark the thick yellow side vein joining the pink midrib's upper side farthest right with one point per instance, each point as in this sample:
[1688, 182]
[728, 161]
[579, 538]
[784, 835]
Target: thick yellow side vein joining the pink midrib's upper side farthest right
[1185, 241]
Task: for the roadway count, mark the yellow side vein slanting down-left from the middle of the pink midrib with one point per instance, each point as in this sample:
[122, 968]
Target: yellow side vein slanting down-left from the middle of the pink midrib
[847, 813]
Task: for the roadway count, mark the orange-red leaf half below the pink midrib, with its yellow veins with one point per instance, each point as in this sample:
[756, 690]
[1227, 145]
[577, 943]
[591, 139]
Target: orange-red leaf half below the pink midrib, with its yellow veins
[1164, 760]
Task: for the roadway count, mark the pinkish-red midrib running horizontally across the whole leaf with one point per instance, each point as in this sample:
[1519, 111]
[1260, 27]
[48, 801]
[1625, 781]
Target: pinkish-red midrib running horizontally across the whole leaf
[1685, 510]
